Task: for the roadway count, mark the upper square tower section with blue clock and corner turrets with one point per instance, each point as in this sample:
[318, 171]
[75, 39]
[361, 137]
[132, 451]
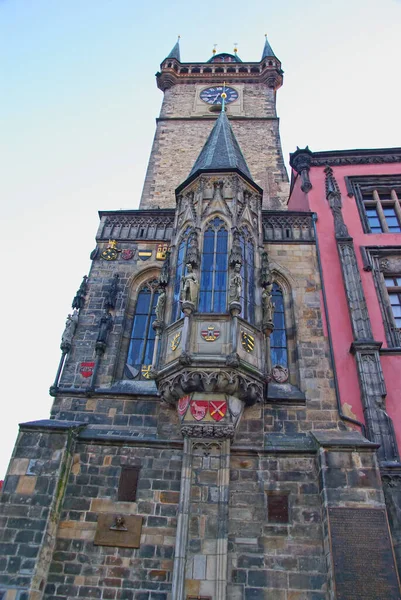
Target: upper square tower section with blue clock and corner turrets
[191, 103]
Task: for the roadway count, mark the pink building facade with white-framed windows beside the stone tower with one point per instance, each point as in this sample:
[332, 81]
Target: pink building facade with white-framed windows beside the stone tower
[355, 196]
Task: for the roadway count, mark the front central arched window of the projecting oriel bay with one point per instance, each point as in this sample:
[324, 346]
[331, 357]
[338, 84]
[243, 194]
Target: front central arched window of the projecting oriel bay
[213, 286]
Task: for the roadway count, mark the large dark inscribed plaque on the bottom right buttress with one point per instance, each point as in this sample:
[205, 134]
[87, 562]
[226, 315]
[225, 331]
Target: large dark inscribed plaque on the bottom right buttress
[364, 566]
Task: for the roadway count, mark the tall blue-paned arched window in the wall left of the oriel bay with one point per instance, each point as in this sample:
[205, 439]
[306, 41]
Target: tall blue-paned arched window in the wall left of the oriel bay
[140, 352]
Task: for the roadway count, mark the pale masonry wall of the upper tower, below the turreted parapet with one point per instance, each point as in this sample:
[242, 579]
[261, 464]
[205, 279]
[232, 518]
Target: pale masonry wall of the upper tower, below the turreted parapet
[177, 144]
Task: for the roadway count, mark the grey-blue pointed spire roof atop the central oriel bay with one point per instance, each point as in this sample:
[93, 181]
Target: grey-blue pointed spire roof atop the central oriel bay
[221, 153]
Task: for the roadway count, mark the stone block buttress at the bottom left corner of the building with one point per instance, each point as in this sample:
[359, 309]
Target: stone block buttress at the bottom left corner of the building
[29, 510]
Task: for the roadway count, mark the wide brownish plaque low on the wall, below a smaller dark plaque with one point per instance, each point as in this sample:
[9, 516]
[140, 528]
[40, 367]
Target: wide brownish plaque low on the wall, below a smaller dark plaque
[123, 531]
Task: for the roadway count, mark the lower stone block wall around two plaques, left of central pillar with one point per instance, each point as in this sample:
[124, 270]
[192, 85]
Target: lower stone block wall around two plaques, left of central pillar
[81, 570]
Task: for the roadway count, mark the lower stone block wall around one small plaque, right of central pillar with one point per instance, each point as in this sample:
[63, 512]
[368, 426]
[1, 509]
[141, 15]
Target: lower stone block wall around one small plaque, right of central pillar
[269, 560]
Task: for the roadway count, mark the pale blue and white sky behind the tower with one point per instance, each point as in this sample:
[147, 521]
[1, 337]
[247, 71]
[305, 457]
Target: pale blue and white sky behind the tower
[78, 102]
